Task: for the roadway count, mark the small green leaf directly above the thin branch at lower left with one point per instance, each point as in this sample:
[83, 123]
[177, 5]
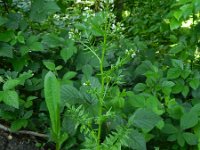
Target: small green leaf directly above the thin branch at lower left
[18, 124]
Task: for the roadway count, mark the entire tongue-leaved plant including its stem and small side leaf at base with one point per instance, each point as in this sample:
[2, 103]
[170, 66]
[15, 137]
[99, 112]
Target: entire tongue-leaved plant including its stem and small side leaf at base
[52, 98]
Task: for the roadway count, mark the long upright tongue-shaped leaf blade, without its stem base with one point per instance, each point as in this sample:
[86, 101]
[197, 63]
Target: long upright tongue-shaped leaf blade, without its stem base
[52, 99]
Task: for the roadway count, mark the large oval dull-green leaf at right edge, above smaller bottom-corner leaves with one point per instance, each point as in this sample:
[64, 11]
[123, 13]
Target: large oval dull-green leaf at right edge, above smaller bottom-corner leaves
[189, 120]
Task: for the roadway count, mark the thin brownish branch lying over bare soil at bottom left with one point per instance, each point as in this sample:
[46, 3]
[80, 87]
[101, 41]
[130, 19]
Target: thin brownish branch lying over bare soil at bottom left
[2, 127]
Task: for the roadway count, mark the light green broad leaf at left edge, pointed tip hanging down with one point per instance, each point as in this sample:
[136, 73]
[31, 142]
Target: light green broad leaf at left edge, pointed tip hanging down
[11, 98]
